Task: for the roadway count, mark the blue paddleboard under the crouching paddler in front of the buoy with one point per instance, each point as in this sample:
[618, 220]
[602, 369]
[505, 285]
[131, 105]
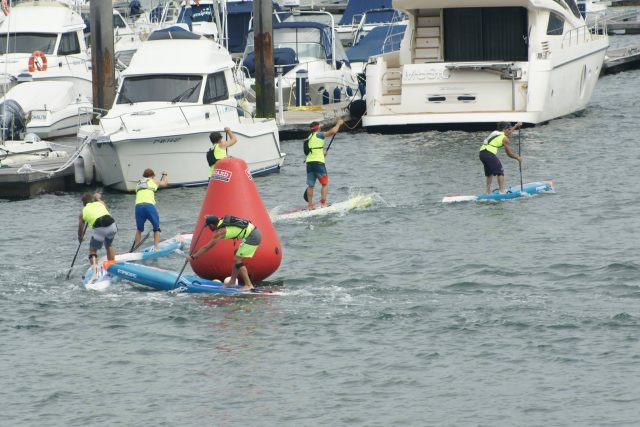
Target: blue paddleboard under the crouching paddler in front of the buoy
[165, 280]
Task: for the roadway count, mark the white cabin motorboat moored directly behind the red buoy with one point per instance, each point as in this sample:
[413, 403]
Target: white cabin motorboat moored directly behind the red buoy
[178, 89]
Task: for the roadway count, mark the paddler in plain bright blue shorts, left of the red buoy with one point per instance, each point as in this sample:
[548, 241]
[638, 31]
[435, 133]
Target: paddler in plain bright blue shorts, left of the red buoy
[146, 205]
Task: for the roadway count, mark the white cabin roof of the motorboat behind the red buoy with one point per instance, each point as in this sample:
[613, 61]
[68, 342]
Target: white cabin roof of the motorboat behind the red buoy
[179, 56]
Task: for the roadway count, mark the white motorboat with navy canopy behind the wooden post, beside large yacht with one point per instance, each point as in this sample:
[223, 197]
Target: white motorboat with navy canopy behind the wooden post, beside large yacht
[310, 48]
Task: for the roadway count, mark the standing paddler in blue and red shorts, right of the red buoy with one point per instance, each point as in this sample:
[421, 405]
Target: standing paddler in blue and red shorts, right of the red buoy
[316, 168]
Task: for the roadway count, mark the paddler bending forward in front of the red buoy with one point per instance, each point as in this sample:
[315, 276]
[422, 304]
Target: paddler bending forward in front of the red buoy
[232, 227]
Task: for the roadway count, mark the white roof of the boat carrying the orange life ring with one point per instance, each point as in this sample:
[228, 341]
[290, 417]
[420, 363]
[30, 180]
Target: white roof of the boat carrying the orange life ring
[48, 17]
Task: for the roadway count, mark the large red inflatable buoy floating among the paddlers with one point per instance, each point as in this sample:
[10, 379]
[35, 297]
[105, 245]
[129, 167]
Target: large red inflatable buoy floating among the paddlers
[231, 191]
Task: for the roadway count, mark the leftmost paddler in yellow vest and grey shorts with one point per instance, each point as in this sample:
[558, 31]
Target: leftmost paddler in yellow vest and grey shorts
[96, 214]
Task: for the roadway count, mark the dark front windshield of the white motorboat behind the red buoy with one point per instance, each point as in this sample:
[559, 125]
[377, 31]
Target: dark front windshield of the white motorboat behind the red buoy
[160, 88]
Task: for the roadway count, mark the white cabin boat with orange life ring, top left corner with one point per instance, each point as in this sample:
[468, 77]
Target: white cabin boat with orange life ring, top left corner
[45, 42]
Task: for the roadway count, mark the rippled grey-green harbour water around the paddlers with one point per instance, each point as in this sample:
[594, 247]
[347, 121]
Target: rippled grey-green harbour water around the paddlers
[407, 313]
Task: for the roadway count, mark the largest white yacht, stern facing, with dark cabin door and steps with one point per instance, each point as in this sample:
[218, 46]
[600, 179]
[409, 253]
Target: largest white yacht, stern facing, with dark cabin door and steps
[472, 63]
